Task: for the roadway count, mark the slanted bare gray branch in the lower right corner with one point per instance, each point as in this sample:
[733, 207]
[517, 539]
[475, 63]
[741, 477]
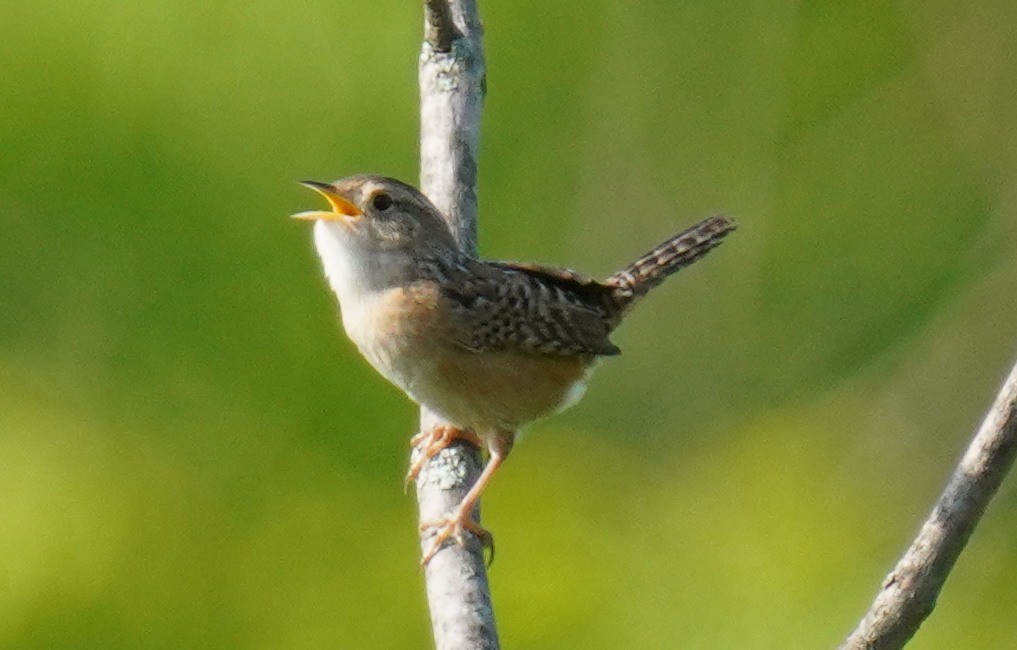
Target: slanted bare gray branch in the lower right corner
[909, 594]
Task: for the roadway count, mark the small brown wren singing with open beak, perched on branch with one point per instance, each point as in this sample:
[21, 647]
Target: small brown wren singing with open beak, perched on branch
[488, 346]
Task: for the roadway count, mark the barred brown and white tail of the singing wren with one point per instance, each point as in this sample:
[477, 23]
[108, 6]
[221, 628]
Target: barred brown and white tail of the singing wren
[633, 282]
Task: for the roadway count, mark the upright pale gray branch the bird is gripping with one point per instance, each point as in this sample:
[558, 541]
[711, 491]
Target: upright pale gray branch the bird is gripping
[452, 94]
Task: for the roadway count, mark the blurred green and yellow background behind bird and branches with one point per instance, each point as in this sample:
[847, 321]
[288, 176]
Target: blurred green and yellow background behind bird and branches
[193, 456]
